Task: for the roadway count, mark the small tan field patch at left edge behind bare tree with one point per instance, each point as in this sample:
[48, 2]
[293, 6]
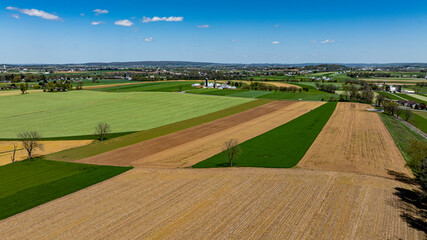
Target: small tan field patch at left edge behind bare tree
[6, 149]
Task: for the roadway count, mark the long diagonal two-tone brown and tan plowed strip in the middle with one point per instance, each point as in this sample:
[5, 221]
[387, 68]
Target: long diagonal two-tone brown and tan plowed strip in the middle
[187, 147]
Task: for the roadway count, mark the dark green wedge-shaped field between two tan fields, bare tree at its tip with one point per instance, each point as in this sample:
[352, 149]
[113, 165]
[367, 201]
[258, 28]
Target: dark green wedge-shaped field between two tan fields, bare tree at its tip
[282, 147]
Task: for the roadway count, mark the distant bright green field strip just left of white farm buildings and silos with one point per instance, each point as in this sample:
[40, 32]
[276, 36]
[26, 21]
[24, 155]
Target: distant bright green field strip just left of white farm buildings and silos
[170, 86]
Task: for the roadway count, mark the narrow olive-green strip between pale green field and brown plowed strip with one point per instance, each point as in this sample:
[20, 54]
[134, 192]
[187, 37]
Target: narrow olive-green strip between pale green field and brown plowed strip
[105, 146]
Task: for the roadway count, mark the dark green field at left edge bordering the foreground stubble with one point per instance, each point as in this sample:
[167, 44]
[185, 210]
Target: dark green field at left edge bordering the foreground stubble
[31, 183]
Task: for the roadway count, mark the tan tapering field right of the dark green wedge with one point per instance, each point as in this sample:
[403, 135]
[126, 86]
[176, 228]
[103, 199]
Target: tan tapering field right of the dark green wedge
[354, 140]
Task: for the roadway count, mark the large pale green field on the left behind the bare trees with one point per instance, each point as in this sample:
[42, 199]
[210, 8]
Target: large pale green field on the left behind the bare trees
[76, 113]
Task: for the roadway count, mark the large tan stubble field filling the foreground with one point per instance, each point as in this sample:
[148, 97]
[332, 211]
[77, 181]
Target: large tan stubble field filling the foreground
[228, 203]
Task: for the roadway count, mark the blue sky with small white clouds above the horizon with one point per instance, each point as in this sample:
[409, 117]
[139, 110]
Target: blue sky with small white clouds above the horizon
[306, 31]
